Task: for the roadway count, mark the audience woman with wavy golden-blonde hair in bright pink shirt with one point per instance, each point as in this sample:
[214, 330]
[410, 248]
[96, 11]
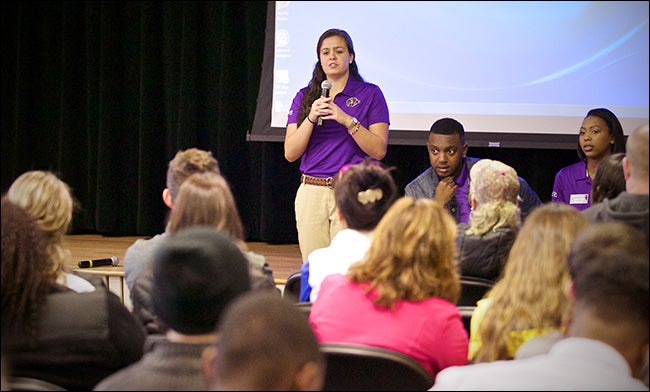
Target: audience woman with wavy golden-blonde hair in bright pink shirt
[403, 295]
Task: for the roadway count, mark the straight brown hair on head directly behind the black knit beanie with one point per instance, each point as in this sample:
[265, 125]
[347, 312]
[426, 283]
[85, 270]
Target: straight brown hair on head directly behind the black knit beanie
[206, 199]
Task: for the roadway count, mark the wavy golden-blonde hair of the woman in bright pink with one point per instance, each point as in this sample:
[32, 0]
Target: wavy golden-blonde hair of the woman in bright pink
[412, 255]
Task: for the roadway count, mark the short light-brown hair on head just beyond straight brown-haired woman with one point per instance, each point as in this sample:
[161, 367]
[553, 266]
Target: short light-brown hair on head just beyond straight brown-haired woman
[187, 162]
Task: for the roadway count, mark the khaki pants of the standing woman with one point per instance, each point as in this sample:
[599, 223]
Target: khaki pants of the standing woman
[317, 218]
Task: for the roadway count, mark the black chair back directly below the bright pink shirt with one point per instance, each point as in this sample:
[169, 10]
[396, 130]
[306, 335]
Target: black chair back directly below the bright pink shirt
[354, 367]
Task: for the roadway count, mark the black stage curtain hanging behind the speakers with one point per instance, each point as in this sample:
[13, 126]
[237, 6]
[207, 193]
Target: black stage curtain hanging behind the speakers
[105, 93]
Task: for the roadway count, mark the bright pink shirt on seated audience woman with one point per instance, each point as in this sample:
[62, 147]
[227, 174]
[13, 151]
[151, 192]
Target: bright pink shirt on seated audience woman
[430, 330]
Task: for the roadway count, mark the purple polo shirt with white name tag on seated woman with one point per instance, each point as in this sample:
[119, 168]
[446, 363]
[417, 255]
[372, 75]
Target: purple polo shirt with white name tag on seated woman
[572, 186]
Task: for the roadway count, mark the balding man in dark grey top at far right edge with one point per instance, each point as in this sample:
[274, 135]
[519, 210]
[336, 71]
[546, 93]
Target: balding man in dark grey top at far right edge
[632, 205]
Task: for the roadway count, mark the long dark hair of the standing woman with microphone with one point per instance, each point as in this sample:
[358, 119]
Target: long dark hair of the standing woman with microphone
[313, 88]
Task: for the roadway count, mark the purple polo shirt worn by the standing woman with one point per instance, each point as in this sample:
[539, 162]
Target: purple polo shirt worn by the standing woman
[330, 145]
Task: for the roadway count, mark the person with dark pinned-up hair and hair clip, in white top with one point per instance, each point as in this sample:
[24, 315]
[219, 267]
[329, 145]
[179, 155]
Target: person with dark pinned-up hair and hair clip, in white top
[363, 192]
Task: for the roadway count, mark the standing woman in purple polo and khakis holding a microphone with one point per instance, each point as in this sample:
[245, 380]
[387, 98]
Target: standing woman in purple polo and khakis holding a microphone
[330, 125]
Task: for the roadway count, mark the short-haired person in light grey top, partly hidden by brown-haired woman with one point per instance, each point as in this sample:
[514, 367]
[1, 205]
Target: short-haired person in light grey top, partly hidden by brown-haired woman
[185, 163]
